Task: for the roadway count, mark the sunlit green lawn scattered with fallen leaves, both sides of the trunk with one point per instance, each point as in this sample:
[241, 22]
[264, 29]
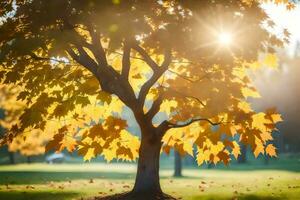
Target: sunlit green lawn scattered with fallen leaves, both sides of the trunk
[76, 181]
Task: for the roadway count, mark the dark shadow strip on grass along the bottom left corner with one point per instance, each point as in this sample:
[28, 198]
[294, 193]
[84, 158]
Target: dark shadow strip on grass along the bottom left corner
[35, 195]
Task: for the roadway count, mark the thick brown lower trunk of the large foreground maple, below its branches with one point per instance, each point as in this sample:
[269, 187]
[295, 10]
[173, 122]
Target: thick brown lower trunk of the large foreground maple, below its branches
[147, 177]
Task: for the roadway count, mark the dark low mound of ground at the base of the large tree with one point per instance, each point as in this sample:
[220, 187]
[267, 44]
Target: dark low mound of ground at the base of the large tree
[136, 196]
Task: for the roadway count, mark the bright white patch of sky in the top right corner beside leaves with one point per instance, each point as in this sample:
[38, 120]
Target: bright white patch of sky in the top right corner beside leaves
[286, 19]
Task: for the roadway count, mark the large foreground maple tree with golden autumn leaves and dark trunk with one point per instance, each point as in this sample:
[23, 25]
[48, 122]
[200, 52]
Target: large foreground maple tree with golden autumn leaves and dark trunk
[78, 61]
